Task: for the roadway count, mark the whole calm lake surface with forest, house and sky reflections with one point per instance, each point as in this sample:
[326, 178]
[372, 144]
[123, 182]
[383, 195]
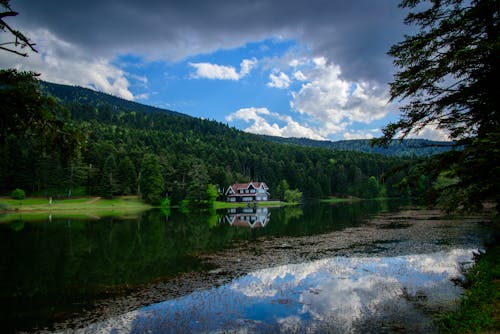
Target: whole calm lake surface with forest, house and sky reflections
[366, 266]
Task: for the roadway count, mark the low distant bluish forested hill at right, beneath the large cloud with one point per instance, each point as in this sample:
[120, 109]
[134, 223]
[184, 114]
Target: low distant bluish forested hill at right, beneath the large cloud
[406, 147]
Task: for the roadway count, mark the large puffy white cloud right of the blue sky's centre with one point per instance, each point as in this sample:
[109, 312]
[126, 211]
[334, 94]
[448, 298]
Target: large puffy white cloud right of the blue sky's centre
[335, 103]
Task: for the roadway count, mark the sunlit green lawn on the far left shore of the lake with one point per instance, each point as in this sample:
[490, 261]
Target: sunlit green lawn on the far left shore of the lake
[35, 208]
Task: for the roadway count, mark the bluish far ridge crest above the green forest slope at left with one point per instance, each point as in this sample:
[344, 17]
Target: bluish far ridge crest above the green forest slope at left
[76, 94]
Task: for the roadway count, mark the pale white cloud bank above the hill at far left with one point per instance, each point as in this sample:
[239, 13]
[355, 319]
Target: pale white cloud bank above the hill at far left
[65, 63]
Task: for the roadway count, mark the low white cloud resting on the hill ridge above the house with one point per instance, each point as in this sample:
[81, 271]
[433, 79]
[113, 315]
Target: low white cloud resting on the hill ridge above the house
[262, 123]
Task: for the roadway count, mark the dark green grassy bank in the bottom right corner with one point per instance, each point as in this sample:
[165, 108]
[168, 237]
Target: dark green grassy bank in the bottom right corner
[478, 311]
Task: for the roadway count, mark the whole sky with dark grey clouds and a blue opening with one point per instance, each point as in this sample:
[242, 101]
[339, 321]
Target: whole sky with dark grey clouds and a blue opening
[316, 69]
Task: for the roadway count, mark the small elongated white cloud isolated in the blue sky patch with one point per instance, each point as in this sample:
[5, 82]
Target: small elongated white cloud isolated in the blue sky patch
[222, 72]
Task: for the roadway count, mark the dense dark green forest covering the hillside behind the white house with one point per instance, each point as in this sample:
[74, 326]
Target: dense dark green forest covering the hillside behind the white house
[129, 148]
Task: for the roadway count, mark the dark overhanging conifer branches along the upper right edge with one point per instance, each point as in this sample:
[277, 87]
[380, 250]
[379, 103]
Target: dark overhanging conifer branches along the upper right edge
[447, 78]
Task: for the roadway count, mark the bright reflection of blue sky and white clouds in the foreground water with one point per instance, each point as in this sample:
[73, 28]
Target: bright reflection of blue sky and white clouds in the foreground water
[340, 295]
